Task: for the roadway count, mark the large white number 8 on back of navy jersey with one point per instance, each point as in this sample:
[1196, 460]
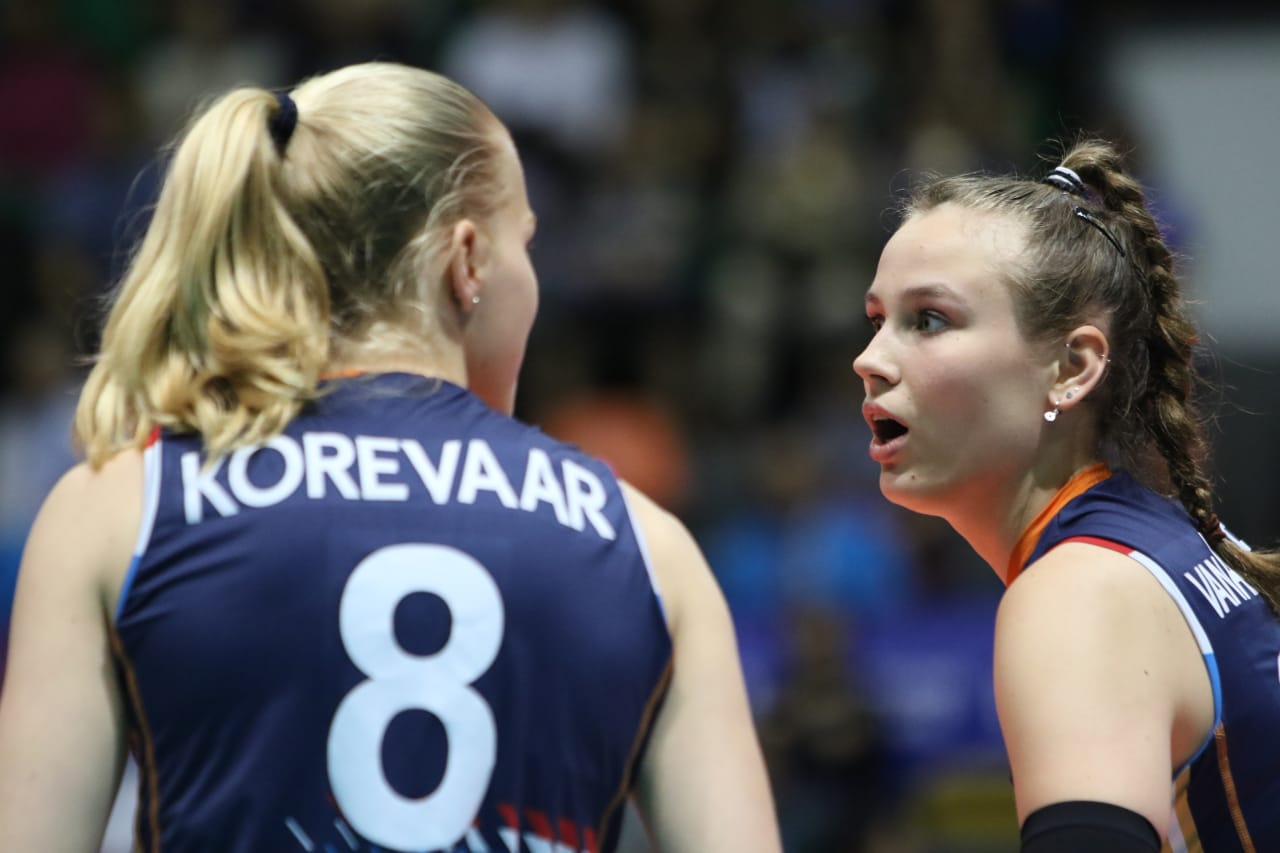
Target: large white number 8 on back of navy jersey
[399, 681]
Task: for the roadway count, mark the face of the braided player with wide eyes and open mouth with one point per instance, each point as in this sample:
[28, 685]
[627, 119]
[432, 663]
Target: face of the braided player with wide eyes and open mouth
[956, 394]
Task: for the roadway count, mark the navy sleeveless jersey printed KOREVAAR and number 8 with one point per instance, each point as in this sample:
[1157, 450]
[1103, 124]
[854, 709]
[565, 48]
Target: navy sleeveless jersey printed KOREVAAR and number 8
[408, 623]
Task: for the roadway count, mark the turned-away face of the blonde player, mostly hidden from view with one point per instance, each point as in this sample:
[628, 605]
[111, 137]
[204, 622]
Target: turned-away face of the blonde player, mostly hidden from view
[500, 326]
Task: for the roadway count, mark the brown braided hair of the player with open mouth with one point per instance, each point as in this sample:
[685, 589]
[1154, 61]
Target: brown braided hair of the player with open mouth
[1146, 413]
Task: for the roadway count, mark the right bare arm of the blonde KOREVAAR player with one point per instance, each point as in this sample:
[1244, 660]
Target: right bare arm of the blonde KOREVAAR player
[703, 786]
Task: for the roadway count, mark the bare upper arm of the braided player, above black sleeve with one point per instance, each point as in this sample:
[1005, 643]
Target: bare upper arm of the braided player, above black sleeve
[1089, 667]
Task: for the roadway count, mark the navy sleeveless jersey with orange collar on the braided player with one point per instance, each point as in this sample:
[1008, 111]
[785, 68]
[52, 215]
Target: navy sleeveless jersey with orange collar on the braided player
[1227, 800]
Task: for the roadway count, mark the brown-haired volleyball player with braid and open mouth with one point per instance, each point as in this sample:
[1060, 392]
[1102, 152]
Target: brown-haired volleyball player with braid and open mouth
[1031, 381]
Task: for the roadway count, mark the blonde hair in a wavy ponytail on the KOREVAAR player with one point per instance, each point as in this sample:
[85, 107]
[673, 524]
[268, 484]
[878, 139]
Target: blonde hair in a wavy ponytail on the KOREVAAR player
[264, 261]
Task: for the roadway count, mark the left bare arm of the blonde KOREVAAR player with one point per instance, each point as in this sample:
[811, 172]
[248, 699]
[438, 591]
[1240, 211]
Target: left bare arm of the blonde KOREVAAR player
[62, 723]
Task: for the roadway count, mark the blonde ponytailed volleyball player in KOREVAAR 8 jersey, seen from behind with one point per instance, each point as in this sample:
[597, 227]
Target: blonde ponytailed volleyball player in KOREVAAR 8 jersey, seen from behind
[313, 574]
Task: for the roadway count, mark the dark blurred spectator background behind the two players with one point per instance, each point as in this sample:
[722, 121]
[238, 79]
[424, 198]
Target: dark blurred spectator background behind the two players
[714, 183]
